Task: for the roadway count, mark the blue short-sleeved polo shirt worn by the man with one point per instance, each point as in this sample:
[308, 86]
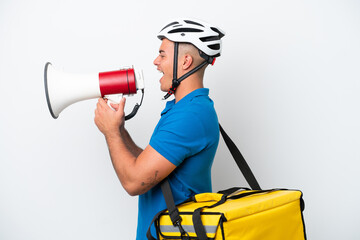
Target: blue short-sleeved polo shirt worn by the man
[187, 135]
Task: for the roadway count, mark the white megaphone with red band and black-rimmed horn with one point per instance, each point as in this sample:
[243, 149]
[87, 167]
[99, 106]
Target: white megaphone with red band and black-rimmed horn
[63, 89]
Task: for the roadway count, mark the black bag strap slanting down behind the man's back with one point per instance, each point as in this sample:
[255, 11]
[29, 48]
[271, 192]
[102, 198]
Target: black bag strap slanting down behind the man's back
[240, 161]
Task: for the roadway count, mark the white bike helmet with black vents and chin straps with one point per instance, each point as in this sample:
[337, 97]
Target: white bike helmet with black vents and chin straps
[202, 35]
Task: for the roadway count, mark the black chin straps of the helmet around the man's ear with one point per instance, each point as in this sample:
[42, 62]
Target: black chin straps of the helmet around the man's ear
[176, 81]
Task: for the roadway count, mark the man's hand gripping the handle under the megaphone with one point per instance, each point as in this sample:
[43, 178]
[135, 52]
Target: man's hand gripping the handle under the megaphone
[108, 121]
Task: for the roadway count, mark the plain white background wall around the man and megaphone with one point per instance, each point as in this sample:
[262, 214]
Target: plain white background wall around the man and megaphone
[286, 89]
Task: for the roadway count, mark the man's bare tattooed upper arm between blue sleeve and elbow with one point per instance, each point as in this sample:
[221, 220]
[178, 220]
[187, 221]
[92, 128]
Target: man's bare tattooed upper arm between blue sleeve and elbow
[150, 169]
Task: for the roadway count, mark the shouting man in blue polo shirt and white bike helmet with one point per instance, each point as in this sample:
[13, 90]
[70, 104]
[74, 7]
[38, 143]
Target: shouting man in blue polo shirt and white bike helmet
[184, 142]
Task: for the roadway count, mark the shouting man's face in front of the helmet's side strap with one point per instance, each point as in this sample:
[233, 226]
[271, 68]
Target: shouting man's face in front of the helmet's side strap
[164, 63]
